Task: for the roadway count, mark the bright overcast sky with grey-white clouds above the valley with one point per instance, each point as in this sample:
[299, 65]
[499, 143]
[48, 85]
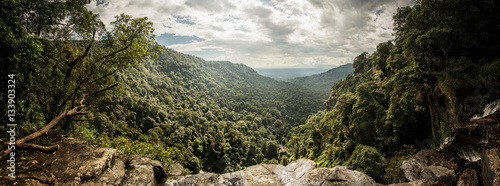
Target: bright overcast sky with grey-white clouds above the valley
[264, 33]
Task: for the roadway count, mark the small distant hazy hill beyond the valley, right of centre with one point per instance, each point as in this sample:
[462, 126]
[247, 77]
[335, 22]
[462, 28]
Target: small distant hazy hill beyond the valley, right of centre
[323, 82]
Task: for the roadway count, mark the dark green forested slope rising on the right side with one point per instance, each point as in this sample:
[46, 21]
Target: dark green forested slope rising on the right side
[407, 87]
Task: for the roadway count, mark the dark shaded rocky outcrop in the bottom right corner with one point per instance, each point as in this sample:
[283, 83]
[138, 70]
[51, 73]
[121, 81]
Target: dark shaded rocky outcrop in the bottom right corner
[472, 152]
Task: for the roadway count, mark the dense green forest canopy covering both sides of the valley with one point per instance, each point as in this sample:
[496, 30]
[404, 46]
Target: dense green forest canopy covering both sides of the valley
[218, 116]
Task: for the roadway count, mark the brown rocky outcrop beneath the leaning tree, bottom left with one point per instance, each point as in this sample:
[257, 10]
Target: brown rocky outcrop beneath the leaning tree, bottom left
[77, 163]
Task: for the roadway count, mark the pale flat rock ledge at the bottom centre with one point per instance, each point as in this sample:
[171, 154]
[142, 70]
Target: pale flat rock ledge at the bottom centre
[300, 172]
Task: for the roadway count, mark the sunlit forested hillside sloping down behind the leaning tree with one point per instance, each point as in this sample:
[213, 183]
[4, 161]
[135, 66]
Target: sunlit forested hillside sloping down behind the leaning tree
[216, 116]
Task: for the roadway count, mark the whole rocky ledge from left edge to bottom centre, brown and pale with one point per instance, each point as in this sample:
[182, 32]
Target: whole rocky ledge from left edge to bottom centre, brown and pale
[78, 163]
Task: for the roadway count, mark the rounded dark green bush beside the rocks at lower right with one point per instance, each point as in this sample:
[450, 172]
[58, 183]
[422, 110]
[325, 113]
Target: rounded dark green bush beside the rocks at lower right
[368, 160]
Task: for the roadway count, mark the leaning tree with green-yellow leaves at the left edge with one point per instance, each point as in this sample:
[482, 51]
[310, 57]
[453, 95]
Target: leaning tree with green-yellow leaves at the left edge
[64, 61]
